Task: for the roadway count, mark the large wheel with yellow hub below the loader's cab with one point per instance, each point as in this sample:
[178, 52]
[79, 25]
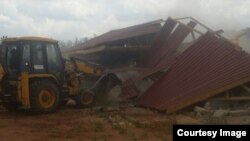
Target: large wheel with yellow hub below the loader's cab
[44, 96]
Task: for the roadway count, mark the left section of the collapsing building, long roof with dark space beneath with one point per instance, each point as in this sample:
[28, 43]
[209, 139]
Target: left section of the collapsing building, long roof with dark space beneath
[116, 48]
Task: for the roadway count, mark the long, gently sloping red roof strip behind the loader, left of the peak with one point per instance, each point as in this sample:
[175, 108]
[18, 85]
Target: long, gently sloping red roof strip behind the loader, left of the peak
[119, 34]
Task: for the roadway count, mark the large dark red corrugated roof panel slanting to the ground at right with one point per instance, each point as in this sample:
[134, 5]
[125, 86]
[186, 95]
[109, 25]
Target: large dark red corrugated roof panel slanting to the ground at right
[208, 67]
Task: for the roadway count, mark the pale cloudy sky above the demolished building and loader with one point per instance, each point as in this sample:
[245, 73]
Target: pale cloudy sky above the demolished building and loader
[68, 19]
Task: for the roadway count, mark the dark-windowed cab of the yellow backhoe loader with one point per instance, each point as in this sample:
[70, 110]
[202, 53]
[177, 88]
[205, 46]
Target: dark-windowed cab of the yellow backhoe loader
[34, 55]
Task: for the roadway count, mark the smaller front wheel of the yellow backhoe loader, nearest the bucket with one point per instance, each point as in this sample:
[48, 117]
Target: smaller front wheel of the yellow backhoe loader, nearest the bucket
[85, 98]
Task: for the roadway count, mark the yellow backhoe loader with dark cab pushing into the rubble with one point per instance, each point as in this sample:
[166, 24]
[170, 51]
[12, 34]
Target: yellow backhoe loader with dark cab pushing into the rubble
[33, 75]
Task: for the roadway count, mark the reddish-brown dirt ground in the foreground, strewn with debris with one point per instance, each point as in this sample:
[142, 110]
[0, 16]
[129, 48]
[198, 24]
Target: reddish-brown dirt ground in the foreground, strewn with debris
[98, 124]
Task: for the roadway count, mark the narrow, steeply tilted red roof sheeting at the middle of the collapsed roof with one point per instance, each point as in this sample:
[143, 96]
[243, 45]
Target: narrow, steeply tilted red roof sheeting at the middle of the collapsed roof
[169, 40]
